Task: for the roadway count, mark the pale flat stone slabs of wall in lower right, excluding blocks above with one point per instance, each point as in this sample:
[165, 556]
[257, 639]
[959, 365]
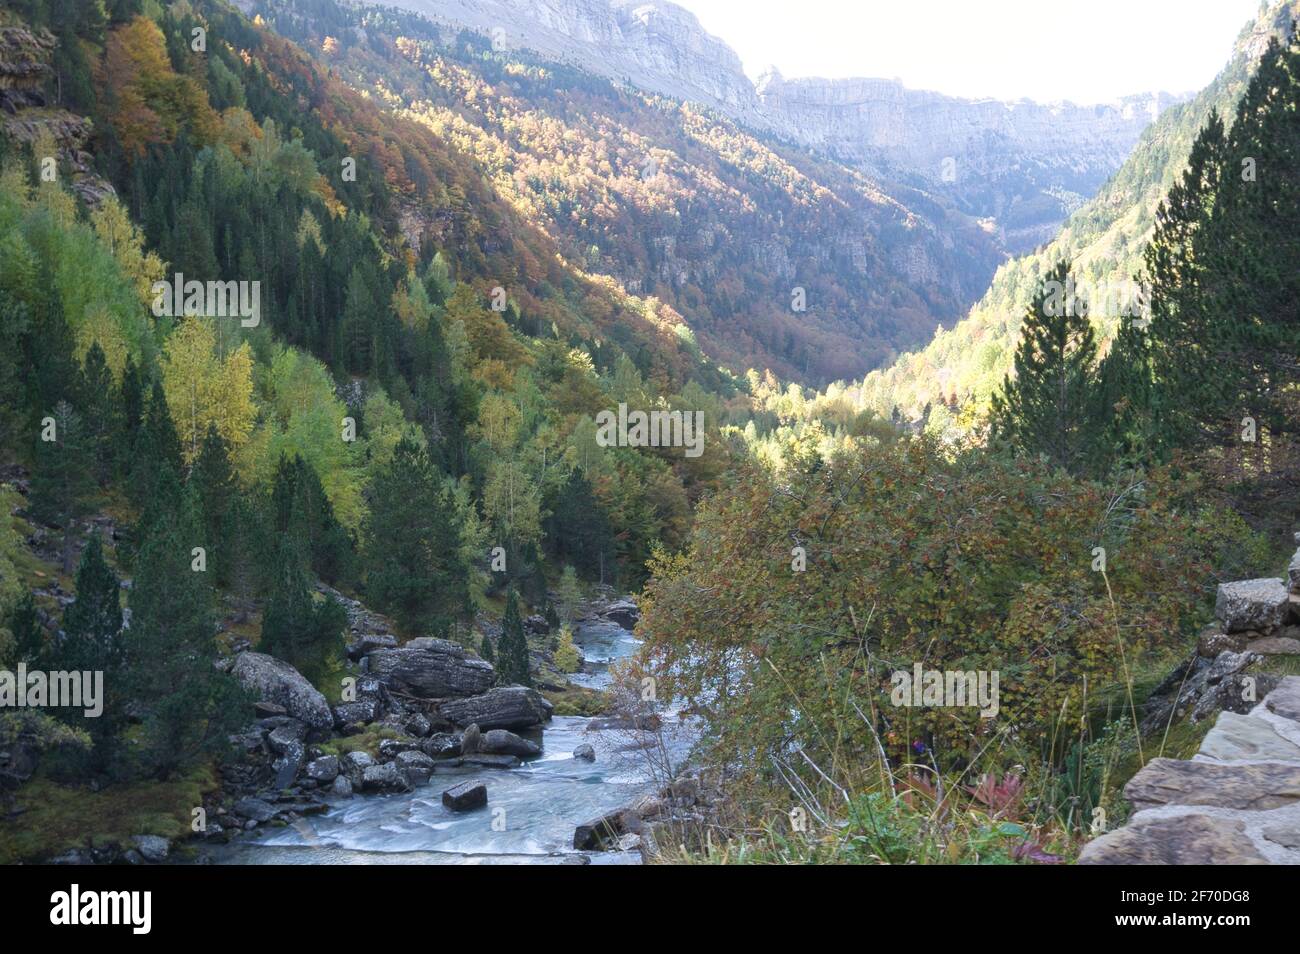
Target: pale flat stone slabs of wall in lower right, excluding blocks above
[1237, 803]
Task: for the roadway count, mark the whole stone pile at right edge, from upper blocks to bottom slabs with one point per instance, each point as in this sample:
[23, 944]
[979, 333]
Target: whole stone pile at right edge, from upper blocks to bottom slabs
[1238, 800]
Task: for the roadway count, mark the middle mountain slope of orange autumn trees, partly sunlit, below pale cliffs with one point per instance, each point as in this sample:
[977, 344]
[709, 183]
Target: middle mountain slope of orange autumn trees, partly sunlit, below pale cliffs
[775, 258]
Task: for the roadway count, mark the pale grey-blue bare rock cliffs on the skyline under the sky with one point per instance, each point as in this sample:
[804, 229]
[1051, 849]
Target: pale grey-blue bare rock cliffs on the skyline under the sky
[1021, 164]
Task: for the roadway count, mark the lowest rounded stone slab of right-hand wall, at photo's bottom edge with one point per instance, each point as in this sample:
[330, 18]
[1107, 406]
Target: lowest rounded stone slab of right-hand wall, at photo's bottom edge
[1181, 840]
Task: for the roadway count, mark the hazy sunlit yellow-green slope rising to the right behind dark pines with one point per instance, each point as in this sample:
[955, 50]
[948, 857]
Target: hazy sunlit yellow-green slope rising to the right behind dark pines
[1104, 241]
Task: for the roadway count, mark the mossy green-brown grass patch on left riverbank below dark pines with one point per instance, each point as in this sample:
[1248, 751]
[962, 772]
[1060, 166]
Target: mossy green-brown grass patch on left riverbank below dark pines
[60, 818]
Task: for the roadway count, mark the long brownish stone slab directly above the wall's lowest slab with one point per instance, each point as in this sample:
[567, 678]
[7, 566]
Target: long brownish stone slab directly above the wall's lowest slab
[1228, 786]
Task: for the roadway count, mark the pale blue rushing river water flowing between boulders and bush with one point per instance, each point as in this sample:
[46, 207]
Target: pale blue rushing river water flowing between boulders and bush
[531, 813]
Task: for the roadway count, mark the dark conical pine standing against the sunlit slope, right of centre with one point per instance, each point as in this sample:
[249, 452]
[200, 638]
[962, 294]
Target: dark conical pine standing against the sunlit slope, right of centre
[1050, 405]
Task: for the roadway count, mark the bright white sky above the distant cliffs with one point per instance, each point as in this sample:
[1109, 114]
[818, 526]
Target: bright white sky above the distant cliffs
[1087, 51]
